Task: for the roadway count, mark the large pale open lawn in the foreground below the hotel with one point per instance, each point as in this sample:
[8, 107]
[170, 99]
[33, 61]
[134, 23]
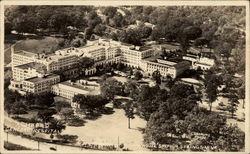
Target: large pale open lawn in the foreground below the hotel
[106, 130]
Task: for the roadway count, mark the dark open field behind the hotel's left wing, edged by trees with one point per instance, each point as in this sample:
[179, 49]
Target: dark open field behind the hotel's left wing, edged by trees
[46, 45]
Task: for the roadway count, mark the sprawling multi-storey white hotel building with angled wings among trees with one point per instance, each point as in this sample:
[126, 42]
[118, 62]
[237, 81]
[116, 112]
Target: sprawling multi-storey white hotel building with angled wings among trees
[33, 73]
